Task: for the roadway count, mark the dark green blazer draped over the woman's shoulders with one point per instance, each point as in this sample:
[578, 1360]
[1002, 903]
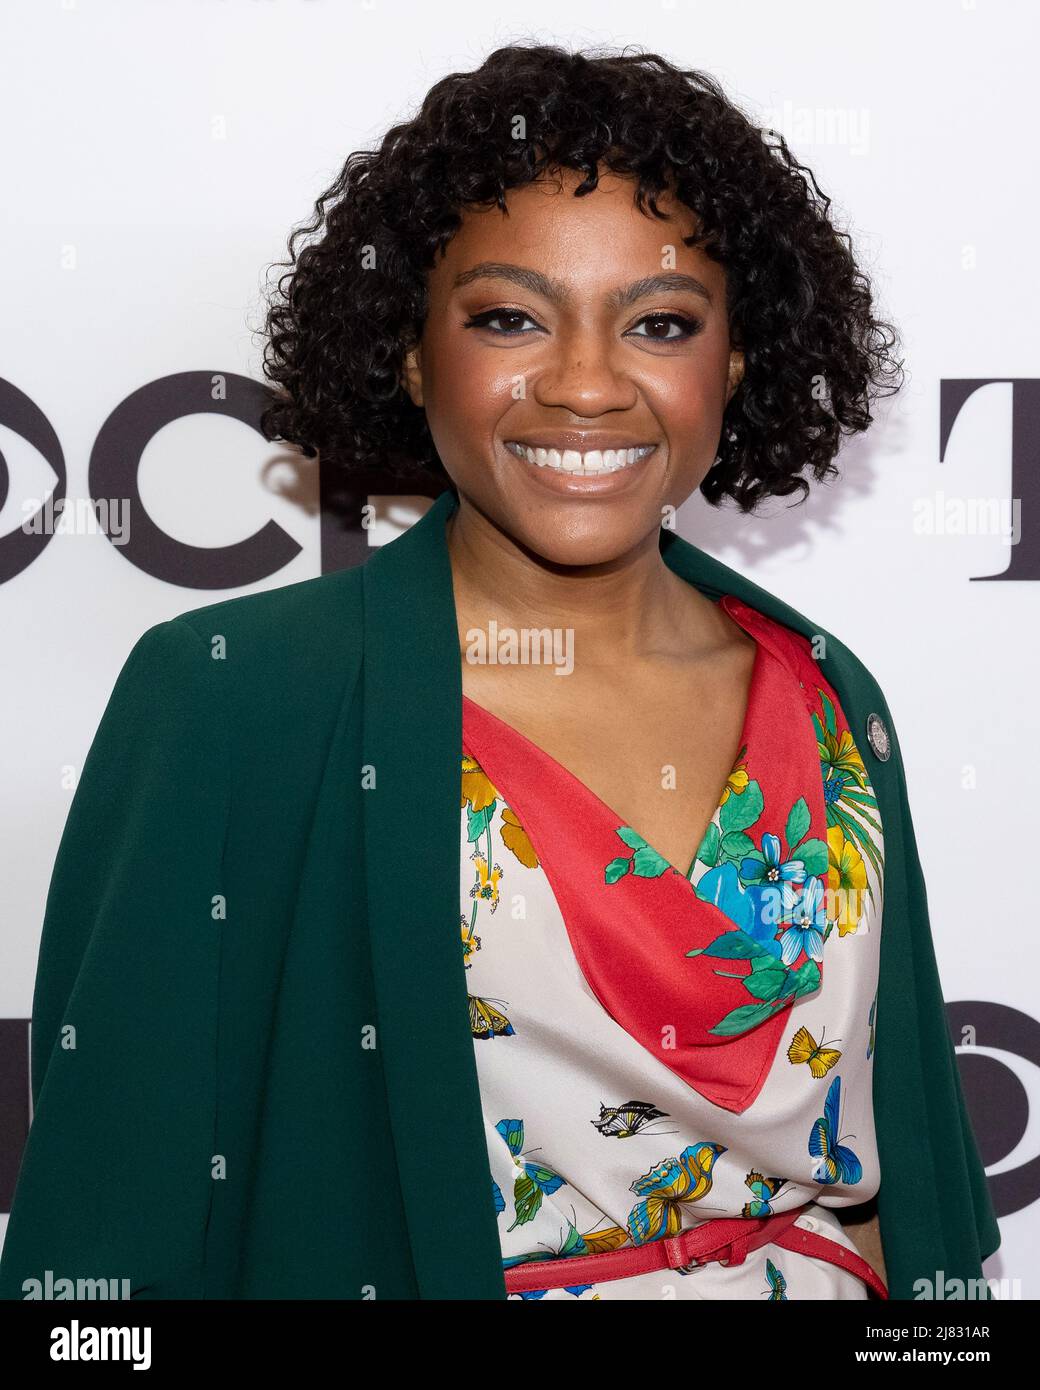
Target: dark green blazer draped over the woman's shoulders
[252, 1065]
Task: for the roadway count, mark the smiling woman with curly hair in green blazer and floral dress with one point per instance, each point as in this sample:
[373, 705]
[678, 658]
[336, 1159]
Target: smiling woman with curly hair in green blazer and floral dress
[694, 1018]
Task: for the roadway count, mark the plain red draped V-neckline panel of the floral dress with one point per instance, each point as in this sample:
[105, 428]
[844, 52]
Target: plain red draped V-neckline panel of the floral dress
[632, 935]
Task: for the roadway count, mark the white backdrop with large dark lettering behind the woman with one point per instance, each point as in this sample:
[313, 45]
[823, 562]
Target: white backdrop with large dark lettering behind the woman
[155, 158]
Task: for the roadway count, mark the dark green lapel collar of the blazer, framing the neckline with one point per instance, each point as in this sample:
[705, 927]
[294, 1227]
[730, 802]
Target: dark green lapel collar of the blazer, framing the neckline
[412, 750]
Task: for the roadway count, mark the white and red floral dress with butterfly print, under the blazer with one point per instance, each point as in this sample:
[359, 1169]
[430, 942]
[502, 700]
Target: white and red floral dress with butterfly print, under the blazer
[656, 1047]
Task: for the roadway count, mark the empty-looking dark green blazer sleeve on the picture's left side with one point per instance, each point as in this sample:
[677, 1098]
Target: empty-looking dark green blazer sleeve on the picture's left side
[116, 1178]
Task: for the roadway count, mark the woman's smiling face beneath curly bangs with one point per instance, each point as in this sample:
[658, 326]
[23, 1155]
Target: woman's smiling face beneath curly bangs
[576, 327]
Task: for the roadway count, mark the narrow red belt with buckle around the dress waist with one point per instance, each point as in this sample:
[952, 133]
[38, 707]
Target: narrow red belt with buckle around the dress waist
[726, 1241]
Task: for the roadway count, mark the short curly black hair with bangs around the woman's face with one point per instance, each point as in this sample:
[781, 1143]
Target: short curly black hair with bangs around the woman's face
[355, 300]
